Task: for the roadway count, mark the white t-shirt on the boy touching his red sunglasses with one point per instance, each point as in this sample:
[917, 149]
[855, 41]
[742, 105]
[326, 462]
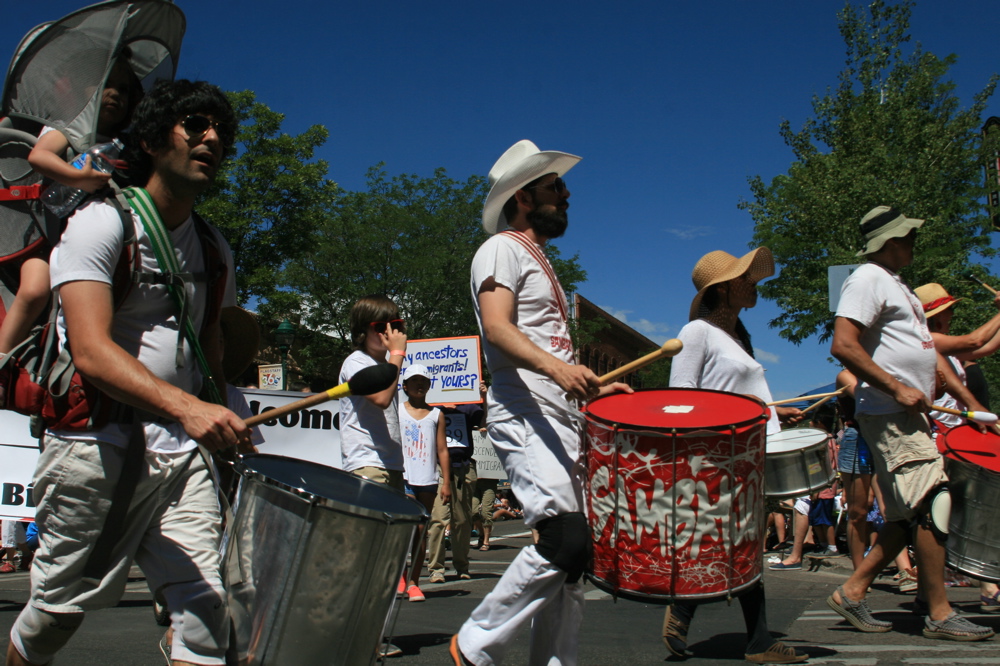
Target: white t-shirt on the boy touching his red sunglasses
[369, 436]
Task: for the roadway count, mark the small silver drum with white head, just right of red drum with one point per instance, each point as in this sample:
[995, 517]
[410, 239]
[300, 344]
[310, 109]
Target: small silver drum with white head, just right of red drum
[797, 462]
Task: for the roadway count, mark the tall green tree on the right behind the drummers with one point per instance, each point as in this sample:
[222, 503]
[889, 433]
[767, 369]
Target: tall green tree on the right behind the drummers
[892, 132]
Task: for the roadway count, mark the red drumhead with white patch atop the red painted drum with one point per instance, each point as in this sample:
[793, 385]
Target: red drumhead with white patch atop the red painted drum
[676, 409]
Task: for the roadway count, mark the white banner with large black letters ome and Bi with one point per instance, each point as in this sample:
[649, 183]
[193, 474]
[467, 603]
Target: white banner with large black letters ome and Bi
[310, 434]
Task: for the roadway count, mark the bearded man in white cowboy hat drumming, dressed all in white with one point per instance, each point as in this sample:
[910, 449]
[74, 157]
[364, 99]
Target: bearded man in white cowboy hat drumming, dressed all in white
[533, 419]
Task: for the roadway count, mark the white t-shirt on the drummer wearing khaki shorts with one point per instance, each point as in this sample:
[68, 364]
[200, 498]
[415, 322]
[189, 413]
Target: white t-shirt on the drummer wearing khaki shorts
[895, 336]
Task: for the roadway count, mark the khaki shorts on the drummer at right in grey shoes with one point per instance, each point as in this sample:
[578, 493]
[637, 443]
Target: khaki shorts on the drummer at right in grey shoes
[907, 463]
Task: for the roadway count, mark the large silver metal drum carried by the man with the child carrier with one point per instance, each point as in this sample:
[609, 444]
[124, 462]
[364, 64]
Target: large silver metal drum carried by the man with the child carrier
[312, 560]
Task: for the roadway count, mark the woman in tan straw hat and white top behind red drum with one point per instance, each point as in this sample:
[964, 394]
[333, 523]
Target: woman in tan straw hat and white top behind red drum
[718, 355]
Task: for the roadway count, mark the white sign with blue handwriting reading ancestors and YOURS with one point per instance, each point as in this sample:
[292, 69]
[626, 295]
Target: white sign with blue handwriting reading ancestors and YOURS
[454, 366]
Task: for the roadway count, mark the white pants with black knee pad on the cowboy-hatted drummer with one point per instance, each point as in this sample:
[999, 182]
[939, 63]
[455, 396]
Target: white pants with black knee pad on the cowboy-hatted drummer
[541, 456]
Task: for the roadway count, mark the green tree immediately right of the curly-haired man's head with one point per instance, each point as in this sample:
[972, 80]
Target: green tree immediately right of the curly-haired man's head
[268, 197]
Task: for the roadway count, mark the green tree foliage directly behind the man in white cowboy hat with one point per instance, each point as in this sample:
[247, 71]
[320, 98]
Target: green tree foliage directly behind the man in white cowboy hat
[408, 237]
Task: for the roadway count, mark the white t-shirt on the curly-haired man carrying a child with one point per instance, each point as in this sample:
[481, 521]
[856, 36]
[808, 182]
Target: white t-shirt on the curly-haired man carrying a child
[146, 324]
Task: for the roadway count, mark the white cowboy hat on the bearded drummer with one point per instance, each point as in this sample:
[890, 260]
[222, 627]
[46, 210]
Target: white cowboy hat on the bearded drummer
[521, 164]
